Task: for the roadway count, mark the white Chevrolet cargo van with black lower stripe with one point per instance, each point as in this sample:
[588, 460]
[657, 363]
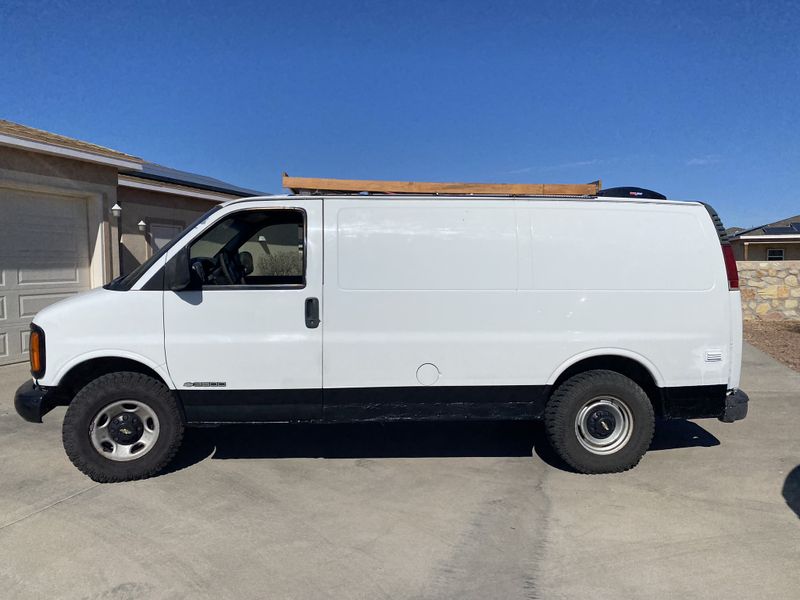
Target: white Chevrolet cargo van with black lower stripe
[597, 314]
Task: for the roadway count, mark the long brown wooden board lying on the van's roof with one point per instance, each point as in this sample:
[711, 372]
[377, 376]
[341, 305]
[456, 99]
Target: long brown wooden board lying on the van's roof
[313, 185]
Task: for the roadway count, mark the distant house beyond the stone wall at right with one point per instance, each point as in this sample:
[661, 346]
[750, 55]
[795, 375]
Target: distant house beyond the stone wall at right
[775, 241]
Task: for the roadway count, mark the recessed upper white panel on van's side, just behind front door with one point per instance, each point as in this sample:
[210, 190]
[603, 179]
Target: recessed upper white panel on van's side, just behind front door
[403, 247]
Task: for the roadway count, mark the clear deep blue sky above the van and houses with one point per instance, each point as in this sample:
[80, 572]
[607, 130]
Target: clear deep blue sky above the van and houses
[698, 100]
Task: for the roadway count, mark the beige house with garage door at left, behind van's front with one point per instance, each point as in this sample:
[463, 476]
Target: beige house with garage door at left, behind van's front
[58, 233]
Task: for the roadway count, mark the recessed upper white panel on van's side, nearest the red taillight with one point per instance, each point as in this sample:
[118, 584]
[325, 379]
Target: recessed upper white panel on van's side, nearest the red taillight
[619, 248]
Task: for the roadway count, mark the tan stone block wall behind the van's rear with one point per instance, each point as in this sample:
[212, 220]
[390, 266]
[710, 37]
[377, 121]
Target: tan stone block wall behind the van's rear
[770, 290]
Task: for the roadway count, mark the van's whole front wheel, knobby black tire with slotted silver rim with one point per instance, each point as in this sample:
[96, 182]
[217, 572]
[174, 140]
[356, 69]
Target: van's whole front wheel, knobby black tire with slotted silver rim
[122, 426]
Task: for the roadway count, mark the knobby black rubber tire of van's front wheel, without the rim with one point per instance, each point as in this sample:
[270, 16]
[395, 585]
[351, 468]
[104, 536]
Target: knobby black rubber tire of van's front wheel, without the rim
[103, 392]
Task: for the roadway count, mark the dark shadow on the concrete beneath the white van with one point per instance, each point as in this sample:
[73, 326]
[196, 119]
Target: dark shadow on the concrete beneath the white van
[399, 440]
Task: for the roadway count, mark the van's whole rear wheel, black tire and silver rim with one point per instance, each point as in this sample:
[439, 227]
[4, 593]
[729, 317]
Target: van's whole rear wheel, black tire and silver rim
[601, 390]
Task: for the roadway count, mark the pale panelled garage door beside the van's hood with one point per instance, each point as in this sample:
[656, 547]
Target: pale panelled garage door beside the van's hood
[44, 257]
